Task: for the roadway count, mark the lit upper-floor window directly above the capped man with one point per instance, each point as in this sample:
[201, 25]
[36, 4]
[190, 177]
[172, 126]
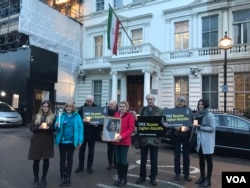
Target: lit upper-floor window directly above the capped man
[181, 35]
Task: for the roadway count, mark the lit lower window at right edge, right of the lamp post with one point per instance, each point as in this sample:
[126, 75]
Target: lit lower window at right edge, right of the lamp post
[242, 90]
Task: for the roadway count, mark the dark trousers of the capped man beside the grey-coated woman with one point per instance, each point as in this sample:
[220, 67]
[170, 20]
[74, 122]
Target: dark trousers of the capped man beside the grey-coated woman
[181, 141]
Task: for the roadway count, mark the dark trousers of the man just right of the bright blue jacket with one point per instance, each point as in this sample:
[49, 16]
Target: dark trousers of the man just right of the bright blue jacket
[91, 149]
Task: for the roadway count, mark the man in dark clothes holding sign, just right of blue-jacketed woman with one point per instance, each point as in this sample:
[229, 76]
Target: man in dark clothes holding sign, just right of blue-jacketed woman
[90, 135]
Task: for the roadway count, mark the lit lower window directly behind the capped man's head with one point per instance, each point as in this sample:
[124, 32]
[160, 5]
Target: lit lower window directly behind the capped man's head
[182, 88]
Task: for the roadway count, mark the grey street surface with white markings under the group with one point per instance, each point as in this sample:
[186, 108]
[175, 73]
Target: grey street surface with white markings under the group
[16, 170]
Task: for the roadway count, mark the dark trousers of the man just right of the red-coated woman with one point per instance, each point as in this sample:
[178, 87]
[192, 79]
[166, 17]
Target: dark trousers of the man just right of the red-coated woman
[153, 161]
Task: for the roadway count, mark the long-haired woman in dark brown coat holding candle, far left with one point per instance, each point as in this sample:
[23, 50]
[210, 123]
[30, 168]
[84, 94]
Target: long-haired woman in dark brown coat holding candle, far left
[42, 142]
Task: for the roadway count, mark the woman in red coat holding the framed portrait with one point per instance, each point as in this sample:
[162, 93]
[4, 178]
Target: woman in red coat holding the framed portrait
[123, 142]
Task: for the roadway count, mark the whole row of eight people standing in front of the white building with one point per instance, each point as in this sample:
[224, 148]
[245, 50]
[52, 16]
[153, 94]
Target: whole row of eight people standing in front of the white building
[71, 131]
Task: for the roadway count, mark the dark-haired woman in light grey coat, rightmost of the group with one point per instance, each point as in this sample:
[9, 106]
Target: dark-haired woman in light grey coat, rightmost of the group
[205, 141]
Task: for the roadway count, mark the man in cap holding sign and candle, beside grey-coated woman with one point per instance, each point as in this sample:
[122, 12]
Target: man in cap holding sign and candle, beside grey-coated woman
[181, 142]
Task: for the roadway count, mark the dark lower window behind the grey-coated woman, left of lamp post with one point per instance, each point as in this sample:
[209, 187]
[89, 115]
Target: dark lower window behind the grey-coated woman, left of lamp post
[210, 90]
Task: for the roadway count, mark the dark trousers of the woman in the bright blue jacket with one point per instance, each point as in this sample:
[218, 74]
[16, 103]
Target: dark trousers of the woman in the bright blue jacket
[66, 158]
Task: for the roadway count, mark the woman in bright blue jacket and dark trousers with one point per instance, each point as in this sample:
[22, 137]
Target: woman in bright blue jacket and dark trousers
[69, 136]
